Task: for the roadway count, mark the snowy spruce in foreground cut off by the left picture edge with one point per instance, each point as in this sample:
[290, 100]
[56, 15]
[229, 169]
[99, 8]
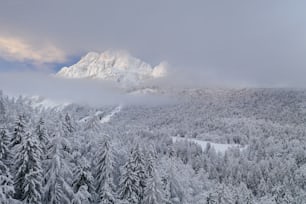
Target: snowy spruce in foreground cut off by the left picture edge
[6, 180]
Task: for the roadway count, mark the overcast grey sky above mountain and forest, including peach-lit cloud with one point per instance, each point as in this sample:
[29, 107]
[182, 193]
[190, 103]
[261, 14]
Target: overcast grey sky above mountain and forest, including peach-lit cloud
[260, 42]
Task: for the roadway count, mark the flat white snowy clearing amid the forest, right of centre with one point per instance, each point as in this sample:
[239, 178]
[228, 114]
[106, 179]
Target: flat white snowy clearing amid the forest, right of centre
[222, 148]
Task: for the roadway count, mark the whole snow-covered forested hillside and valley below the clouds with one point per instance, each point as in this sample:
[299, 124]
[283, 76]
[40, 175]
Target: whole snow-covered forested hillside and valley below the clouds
[126, 153]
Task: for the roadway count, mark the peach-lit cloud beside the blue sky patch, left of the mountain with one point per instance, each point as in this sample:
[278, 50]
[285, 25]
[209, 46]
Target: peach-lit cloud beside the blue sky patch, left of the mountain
[15, 49]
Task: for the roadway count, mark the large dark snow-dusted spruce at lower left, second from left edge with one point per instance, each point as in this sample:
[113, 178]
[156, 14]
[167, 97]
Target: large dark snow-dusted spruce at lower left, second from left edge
[28, 177]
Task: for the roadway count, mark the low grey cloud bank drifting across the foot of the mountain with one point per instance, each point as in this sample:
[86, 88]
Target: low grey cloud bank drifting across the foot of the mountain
[81, 91]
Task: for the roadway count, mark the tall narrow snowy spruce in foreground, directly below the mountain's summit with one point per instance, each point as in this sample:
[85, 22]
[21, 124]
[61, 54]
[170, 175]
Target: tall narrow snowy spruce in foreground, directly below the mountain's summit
[104, 173]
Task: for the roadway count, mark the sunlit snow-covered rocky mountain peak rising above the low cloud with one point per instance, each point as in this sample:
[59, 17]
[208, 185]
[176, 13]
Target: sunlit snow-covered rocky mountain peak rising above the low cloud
[118, 66]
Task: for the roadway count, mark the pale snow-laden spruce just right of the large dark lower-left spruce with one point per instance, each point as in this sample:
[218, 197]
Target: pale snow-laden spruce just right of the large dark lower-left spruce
[57, 188]
